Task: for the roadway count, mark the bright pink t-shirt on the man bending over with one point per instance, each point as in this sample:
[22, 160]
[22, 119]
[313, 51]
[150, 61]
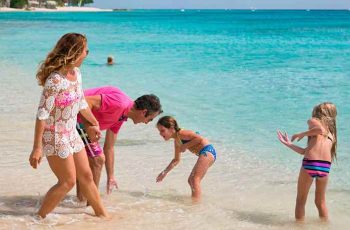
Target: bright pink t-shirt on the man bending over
[115, 105]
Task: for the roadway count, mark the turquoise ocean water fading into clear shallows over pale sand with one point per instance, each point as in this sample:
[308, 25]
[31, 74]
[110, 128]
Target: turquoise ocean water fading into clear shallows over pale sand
[234, 76]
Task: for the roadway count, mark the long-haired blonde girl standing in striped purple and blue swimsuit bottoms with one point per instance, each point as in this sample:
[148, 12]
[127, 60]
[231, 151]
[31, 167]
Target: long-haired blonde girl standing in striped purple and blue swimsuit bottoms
[318, 155]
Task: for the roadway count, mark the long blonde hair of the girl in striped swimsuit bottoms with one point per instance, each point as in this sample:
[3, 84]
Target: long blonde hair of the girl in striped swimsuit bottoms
[326, 112]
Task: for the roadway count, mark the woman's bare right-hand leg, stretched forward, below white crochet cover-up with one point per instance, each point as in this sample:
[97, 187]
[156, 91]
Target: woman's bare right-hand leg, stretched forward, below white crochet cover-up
[88, 187]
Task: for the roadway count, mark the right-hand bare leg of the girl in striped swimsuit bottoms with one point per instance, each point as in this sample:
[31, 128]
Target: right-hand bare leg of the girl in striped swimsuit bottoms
[320, 197]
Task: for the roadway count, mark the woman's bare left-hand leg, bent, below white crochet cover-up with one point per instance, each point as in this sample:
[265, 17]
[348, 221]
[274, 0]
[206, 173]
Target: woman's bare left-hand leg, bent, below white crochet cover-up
[64, 170]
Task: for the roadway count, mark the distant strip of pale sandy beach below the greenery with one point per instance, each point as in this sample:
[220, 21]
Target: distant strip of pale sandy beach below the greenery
[59, 9]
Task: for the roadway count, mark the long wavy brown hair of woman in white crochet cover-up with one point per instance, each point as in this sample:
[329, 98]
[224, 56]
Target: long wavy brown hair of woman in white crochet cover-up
[63, 56]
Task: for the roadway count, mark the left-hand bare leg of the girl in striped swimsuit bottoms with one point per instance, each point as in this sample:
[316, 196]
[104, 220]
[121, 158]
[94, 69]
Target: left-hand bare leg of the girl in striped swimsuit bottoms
[304, 184]
